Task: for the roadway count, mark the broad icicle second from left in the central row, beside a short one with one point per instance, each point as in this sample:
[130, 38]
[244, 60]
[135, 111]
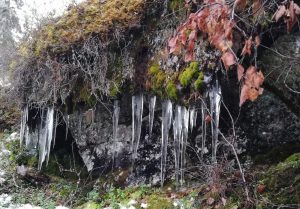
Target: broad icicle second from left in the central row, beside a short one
[137, 115]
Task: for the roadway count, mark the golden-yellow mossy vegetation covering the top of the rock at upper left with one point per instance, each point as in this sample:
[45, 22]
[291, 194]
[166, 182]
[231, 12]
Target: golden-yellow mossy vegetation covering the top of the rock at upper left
[91, 17]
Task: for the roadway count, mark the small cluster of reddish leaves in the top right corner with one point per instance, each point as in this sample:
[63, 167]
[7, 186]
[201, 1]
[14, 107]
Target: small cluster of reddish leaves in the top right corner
[288, 11]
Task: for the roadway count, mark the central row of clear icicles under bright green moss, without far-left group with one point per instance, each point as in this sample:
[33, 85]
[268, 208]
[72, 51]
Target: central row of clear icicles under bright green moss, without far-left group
[182, 119]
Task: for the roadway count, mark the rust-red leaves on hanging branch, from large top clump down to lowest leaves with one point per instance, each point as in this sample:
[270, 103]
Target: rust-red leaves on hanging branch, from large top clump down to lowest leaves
[213, 22]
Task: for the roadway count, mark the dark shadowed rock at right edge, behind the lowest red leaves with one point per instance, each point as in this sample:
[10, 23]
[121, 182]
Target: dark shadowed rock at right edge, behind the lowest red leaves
[274, 119]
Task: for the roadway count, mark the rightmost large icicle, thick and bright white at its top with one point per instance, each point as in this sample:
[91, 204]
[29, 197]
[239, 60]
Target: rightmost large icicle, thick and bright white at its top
[215, 102]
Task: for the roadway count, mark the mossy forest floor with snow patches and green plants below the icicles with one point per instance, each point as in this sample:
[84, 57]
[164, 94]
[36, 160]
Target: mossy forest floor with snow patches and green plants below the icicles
[270, 185]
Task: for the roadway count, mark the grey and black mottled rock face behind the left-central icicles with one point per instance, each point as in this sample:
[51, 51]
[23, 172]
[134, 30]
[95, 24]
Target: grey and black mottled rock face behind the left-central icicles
[93, 133]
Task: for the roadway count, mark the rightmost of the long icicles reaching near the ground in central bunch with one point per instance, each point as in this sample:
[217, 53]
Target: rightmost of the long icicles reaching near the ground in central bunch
[185, 131]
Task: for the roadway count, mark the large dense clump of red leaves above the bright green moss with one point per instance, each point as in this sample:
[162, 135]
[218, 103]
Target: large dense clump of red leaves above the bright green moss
[211, 20]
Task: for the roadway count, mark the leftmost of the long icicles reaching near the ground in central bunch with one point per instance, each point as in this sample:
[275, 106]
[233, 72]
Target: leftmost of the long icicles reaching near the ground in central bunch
[166, 125]
